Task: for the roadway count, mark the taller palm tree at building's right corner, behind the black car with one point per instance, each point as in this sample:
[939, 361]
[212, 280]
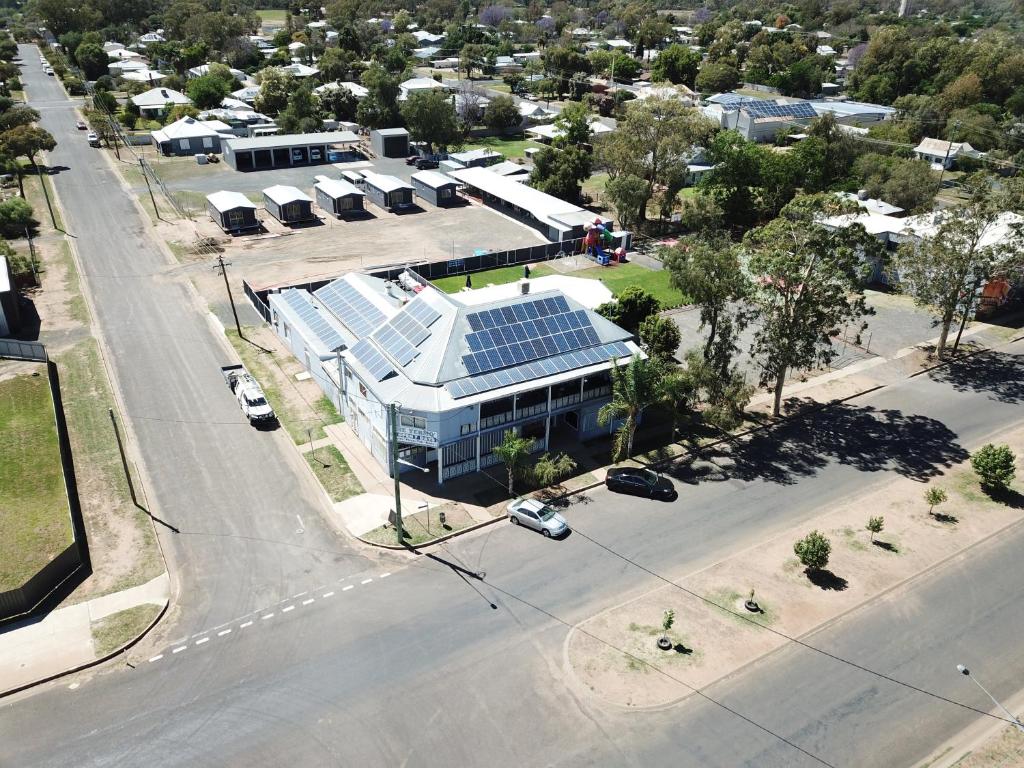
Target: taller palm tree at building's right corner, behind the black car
[636, 387]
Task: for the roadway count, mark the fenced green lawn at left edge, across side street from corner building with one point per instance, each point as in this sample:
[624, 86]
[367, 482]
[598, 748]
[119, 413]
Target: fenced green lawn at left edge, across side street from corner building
[35, 523]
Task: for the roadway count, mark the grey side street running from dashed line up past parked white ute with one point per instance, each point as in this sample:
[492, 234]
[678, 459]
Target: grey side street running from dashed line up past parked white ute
[236, 495]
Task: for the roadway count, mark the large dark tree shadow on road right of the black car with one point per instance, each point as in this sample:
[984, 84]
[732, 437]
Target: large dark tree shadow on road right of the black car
[863, 437]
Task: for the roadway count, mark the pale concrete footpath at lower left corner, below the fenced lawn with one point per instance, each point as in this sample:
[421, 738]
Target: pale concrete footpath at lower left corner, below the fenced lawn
[39, 649]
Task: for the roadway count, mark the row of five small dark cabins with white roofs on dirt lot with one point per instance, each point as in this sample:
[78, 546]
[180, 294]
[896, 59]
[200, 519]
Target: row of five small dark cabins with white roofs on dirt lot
[235, 214]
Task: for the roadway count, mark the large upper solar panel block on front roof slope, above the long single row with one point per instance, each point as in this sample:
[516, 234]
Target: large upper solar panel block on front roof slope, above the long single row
[525, 332]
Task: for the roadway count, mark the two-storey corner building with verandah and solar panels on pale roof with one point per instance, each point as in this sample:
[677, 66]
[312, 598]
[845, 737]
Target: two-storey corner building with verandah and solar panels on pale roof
[462, 373]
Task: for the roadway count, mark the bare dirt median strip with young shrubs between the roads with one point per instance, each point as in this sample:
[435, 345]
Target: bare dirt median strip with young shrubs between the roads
[621, 666]
